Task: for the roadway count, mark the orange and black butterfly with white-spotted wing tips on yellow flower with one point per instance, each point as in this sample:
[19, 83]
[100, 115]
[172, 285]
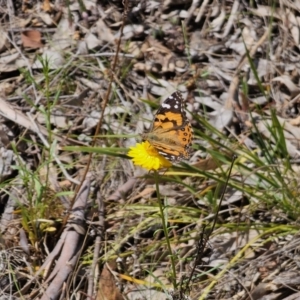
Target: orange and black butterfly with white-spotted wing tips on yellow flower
[171, 133]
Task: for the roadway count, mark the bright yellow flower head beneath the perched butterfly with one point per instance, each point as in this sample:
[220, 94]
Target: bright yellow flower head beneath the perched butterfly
[146, 156]
